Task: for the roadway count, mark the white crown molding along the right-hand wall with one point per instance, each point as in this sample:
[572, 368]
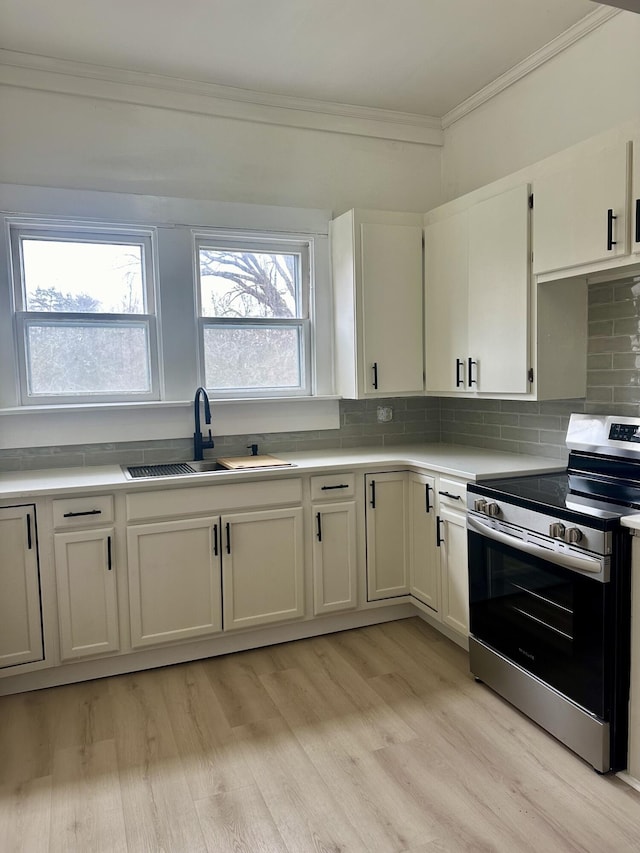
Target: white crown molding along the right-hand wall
[578, 31]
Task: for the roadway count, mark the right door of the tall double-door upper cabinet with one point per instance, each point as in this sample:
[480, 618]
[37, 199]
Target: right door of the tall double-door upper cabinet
[499, 260]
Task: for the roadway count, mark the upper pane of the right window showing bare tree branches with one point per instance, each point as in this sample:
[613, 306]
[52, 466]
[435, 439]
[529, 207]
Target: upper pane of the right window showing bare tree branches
[249, 284]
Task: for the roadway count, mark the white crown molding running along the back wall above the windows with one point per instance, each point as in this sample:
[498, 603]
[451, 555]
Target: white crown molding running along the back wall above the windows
[30, 71]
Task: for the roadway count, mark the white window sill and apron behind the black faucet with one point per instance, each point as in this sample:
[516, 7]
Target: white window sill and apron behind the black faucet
[89, 423]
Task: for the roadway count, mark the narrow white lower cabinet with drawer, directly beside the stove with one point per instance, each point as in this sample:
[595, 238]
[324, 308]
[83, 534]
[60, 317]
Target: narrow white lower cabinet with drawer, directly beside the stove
[452, 544]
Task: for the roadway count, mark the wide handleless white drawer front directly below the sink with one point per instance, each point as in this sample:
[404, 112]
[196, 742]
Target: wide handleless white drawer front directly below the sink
[207, 500]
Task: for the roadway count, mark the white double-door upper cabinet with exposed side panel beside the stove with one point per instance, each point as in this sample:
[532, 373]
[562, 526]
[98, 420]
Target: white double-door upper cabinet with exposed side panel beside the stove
[488, 331]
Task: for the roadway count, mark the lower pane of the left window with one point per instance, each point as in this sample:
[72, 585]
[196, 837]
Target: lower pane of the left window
[87, 359]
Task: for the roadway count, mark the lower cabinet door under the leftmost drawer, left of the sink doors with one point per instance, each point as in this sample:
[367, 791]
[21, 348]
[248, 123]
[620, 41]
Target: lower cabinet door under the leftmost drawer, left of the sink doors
[87, 597]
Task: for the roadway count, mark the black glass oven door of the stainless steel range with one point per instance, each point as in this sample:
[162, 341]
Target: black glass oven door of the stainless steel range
[548, 619]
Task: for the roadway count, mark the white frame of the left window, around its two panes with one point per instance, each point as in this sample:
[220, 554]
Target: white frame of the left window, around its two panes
[83, 232]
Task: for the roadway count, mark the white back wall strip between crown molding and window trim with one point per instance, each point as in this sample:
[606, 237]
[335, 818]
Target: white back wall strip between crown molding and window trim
[61, 140]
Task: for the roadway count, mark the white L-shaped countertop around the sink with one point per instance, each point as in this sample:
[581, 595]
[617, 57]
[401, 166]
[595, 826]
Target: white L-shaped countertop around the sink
[469, 463]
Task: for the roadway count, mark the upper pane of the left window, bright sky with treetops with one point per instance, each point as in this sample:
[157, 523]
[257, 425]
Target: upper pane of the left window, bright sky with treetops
[61, 275]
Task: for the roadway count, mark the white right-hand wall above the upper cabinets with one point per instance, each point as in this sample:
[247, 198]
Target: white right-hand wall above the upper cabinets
[589, 88]
